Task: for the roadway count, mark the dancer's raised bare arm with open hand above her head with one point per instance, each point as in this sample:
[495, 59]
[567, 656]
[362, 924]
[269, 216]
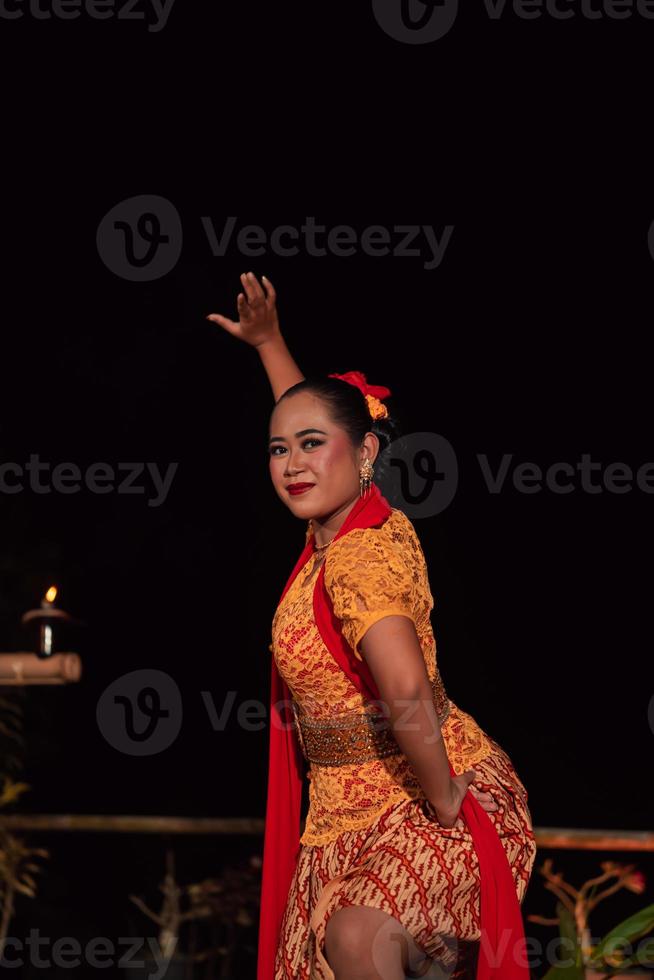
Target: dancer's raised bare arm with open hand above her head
[258, 326]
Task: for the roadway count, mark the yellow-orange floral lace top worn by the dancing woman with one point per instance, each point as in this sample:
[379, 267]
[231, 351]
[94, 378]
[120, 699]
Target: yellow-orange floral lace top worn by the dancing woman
[369, 573]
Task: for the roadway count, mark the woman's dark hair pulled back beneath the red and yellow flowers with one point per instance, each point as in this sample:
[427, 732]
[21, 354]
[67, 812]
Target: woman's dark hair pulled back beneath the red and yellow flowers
[348, 408]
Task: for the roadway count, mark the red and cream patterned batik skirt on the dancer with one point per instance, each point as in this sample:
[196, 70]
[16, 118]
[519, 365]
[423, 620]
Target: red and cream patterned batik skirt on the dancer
[407, 865]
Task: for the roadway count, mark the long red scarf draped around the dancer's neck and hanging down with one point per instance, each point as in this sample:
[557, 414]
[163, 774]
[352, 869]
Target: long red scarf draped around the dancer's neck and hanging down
[502, 954]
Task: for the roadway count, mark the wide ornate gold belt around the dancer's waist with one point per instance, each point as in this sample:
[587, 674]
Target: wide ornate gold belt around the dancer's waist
[344, 740]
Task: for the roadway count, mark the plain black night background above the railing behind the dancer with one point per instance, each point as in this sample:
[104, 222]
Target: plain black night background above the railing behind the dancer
[530, 338]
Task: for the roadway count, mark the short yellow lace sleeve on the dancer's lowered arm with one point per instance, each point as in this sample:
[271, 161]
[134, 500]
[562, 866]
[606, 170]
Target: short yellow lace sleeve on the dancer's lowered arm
[368, 576]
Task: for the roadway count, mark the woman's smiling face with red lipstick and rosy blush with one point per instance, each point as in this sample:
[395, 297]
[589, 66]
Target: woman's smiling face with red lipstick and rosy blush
[307, 448]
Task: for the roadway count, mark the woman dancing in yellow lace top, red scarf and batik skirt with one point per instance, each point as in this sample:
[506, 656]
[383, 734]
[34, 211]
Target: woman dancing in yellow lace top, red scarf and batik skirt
[409, 856]
